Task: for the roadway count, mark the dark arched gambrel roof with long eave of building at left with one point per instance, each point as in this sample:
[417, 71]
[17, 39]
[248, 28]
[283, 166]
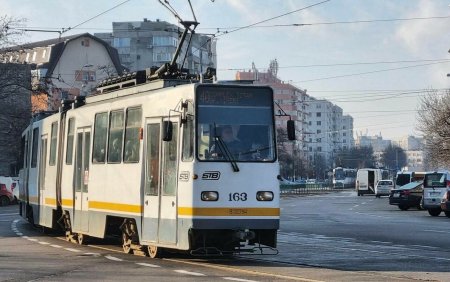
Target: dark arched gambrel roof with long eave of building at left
[58, 45]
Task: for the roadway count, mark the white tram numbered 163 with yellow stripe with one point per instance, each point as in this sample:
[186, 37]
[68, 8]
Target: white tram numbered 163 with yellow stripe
[147, 160]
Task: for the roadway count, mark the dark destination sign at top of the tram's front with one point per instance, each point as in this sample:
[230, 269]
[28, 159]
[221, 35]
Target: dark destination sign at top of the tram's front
[234, 96]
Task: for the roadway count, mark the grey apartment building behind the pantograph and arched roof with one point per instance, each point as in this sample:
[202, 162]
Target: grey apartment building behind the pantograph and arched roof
[145, 44]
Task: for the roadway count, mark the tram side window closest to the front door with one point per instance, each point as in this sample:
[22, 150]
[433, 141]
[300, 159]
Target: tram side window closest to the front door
[132, 128]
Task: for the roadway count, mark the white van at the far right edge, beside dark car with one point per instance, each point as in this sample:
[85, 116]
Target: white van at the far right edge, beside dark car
[435, 185]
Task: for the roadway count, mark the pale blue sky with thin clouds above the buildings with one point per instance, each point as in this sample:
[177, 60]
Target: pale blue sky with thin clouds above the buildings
[376, 59]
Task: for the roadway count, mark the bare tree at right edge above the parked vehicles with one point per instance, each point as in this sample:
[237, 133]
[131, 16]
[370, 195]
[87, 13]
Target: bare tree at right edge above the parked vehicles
[434, 123]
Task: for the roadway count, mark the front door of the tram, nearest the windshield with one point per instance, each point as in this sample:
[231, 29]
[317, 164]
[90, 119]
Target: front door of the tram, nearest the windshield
[160, 201]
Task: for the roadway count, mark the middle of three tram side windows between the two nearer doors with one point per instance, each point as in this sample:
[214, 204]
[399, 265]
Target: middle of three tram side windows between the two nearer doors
[115, 137]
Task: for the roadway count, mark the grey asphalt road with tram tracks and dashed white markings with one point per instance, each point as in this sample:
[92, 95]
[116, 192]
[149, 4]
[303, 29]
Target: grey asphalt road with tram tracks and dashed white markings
[331, 237]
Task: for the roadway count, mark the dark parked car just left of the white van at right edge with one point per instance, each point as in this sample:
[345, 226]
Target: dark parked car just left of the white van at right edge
[407, 196]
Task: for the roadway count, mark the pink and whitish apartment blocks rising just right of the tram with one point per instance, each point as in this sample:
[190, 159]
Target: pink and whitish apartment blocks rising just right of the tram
[321, 127]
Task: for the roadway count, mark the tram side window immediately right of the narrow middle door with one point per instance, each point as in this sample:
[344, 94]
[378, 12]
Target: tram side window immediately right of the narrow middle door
[100, 133]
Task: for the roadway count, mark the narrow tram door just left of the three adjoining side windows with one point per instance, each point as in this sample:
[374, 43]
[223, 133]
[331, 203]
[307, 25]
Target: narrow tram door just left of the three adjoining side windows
[81, 175]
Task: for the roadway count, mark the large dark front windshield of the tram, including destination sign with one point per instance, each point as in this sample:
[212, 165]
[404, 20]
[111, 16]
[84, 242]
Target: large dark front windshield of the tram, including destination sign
[235, 124]
